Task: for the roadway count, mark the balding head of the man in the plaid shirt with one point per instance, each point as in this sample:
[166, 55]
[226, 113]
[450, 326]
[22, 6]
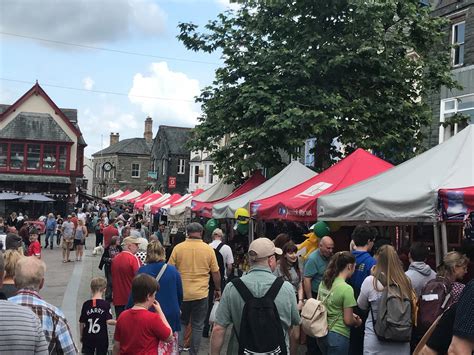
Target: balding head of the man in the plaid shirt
[29, 273]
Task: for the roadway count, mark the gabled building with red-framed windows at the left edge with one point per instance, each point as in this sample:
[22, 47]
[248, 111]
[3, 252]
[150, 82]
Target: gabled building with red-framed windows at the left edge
[41, 151]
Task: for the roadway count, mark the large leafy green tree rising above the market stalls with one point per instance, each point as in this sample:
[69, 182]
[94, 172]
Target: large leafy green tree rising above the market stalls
[349, 71]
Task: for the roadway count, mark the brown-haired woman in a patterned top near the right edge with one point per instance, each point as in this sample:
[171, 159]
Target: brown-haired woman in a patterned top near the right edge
[454, 267]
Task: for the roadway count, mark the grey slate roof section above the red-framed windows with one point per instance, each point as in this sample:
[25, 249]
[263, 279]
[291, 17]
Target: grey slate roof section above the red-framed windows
[34, 126]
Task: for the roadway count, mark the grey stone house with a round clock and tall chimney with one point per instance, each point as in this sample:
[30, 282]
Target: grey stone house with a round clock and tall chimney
[123, 164]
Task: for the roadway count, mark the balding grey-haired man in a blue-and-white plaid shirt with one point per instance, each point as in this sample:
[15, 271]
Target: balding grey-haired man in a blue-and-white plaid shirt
[29, 279]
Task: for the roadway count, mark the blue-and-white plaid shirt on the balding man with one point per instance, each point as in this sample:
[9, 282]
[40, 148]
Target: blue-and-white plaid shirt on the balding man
[53, 321]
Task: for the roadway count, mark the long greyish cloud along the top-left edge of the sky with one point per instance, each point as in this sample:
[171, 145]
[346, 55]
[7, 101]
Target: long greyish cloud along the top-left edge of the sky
[82, 21]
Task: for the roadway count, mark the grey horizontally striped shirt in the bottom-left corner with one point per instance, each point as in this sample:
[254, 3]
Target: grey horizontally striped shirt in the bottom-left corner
[21, 331]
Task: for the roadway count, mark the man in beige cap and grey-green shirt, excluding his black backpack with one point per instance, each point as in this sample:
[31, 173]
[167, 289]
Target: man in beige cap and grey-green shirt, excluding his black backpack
[262, 258]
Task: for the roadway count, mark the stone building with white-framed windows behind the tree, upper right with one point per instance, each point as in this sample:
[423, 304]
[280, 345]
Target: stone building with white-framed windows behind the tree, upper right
[460, 34]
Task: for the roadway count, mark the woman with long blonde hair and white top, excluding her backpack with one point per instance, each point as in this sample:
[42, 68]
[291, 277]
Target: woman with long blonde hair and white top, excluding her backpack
[387, 271]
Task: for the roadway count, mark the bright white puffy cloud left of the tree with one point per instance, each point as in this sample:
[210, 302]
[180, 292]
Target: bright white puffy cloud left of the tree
[161, 82]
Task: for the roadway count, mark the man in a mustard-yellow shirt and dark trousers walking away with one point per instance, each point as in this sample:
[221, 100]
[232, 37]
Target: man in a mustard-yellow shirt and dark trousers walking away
[194, 260]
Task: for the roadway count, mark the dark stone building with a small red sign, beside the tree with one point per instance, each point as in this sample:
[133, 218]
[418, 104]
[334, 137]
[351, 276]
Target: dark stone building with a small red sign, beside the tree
[170, 159]
